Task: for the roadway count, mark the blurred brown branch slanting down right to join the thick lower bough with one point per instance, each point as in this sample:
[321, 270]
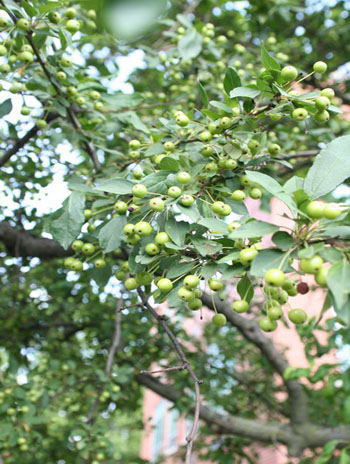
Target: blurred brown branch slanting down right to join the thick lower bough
[251, 331]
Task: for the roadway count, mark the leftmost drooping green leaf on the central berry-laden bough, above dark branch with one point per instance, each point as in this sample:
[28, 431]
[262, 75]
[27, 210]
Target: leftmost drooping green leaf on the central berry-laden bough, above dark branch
[67, 226]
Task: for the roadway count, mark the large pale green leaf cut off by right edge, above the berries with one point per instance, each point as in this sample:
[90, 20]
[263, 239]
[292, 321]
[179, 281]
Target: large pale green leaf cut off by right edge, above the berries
[331, 167]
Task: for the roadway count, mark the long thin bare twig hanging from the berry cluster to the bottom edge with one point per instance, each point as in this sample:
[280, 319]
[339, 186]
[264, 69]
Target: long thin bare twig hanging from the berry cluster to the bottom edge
[162, 322]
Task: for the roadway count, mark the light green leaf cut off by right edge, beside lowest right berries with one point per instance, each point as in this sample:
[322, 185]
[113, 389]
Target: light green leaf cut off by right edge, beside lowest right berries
[338, 281]
